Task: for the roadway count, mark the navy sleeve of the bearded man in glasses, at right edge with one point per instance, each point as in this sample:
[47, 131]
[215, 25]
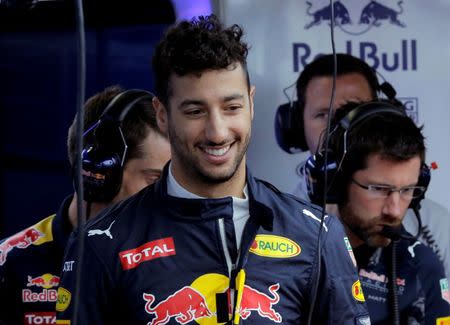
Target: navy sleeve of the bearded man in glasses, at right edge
[435, 285]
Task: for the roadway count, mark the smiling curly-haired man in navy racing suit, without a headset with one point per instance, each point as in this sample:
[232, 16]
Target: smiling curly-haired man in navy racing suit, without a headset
[209, 243]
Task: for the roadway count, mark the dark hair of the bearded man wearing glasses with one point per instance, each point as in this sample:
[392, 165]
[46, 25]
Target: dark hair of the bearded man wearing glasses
[393, 136]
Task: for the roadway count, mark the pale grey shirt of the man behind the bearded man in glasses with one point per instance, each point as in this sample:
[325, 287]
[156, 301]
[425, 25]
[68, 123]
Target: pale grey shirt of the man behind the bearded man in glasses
[435, 221]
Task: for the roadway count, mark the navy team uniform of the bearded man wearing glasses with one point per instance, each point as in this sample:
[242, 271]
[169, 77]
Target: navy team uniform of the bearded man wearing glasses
[422, 288]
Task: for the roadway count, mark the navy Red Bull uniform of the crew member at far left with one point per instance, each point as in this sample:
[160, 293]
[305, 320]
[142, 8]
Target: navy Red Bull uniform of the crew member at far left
[30, 265]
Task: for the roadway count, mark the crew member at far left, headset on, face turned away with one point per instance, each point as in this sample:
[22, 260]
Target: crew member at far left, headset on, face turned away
[124, 152]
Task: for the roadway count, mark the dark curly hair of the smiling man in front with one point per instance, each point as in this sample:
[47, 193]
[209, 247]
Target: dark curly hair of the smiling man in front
[191, 47]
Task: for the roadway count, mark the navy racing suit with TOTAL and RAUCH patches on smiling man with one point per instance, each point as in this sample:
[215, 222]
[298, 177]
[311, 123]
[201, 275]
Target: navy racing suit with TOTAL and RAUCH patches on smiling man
[160, 259]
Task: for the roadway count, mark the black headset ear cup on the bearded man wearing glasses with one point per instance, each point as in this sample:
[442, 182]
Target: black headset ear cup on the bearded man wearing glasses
[315, 170]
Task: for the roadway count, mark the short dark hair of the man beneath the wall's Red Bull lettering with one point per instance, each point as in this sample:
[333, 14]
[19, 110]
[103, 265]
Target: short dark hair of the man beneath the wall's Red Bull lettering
[323, 66]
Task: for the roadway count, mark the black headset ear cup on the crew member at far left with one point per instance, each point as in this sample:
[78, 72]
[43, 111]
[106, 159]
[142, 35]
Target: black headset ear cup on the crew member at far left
[102, 175]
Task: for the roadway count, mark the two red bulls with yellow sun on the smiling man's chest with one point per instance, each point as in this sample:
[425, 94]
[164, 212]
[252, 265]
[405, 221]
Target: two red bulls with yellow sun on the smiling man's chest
[197, 302]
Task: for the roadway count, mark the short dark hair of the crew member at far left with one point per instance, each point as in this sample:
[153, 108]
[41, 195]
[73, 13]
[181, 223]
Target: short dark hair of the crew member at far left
[138, 122]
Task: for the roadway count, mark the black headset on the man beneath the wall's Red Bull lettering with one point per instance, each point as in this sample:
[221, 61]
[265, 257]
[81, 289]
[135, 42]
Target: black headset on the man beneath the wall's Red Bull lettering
[289, 131]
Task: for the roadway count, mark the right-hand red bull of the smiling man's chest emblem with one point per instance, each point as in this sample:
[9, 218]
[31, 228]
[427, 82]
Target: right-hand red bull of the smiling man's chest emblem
[256, 301]
